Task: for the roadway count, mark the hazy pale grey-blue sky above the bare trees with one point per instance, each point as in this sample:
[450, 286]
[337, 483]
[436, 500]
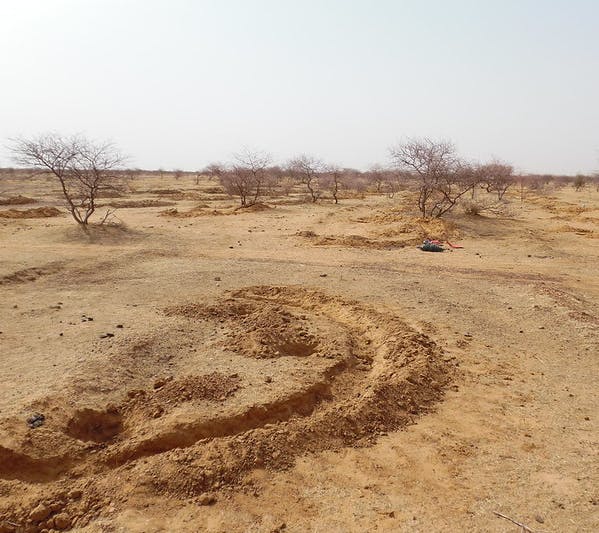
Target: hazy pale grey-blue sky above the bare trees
[181, 83]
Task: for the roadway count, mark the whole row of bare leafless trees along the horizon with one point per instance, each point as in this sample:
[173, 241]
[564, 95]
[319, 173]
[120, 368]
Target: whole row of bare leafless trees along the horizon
[433, 170]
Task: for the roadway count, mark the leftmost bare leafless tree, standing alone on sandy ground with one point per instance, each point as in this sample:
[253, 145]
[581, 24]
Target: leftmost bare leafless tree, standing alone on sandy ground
[84, 168]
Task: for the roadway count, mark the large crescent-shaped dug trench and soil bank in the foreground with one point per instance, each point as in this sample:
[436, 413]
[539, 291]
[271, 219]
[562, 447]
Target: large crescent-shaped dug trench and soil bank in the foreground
[297, 371]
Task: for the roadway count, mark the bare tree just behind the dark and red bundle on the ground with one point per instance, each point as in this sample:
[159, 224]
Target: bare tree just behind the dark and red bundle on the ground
[442, 177]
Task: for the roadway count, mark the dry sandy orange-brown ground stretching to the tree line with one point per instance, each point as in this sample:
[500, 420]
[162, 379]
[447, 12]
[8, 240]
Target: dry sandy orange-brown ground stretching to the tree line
[297, 367]
